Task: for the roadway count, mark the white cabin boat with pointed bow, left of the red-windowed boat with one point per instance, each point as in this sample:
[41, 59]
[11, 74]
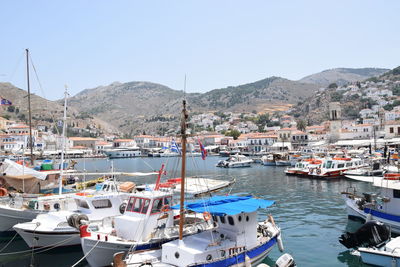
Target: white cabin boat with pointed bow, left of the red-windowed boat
[62, 227]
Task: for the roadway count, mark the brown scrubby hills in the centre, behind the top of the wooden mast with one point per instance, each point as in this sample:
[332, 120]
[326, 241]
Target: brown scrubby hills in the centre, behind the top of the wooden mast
[137, 107]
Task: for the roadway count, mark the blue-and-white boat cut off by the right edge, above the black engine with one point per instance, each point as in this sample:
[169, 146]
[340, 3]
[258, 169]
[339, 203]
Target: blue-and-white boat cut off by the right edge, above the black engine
[383, 206]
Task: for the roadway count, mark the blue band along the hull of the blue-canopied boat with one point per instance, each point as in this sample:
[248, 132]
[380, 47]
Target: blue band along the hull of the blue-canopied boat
[241, 257]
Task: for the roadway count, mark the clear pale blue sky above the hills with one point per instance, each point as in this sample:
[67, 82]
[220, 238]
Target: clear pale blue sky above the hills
[86, 43]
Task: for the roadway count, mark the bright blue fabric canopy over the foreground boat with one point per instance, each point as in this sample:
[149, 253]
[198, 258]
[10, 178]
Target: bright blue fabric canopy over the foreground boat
[228, 205]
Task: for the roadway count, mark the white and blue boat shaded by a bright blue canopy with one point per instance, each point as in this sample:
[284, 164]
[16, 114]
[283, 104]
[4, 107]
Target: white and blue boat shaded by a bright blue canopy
[239, 240]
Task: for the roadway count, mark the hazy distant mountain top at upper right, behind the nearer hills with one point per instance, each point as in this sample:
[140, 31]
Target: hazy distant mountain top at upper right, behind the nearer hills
[342, 76]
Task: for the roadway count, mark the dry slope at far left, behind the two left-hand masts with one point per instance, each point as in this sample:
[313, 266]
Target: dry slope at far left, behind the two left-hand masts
[44, 112]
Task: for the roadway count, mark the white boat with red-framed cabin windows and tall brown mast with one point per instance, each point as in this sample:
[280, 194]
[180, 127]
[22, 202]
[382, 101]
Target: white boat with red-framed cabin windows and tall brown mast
[149, 213]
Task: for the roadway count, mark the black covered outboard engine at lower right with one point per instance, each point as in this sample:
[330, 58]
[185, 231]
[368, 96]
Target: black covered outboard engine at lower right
[372, 233]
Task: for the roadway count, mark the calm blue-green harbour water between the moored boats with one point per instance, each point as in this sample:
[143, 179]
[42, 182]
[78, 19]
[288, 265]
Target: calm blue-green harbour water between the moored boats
[311, 213]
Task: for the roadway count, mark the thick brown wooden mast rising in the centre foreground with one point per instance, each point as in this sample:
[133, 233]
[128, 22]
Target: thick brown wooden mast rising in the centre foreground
[183, 170]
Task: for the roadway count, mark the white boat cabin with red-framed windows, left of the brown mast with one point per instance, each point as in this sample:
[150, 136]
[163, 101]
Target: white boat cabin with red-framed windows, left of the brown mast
[145, 212]
